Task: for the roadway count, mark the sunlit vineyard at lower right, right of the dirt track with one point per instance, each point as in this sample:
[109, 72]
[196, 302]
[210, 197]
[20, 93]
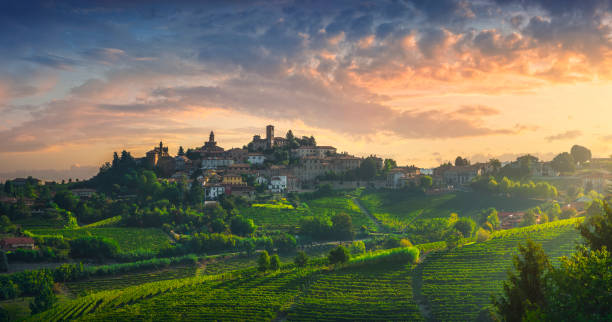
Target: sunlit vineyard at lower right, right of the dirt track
[457, 284]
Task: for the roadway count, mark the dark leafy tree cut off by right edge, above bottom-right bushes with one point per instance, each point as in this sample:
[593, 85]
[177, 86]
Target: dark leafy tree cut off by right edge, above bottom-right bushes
[597, 230]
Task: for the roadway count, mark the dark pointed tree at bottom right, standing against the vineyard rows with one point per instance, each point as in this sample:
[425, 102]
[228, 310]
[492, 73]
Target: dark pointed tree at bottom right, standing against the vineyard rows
[525, 288]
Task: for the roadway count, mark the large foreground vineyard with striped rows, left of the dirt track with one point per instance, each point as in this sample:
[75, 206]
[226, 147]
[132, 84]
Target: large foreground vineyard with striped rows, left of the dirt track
[376, 292]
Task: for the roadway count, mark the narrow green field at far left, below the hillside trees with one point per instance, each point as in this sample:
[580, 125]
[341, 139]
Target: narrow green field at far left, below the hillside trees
[129, 239]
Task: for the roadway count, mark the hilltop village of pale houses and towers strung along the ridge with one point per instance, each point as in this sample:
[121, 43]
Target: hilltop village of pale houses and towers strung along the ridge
[292, 164]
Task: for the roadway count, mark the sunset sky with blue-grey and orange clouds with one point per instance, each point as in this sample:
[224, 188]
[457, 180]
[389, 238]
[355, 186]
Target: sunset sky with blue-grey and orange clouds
[417, 81]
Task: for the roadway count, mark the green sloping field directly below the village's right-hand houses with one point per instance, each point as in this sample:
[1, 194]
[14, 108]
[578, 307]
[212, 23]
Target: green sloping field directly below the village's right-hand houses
[395, 209]
